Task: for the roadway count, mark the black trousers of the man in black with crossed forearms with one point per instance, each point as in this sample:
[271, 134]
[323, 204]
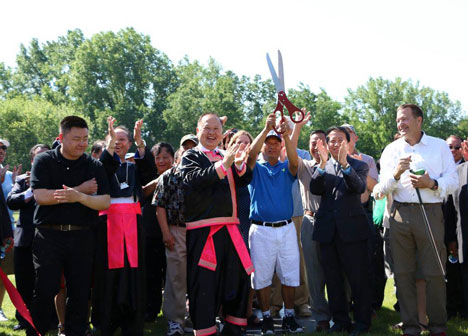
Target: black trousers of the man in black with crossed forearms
[72, 252]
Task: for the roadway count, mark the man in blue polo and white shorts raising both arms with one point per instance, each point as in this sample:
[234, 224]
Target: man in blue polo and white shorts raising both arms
[272, 237]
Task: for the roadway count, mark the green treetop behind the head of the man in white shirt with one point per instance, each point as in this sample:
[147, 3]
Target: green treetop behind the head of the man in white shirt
[371, 109]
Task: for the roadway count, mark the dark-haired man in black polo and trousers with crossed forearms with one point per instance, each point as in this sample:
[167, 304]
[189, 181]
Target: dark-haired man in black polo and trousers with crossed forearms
[63, 218]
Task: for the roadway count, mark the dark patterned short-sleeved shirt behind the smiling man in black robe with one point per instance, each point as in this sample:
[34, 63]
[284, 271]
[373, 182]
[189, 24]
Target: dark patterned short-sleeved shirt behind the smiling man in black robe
[169, 194]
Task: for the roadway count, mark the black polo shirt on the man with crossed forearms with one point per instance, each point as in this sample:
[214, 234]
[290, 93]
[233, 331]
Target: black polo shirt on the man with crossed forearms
[50, 171]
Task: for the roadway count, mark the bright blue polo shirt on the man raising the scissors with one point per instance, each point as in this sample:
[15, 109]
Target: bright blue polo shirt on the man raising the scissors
[271, 192]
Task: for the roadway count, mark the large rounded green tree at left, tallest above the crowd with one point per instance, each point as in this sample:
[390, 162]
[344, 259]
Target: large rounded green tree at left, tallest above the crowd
[123, 75]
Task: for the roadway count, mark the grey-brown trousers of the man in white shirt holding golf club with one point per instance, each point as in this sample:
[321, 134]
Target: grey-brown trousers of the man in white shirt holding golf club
[410, 245]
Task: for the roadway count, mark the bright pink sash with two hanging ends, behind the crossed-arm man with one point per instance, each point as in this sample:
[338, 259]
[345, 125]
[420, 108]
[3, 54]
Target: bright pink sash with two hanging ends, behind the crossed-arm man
[122, 234]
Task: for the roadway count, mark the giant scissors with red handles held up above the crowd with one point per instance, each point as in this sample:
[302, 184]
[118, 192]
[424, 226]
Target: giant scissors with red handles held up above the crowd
[282, 99]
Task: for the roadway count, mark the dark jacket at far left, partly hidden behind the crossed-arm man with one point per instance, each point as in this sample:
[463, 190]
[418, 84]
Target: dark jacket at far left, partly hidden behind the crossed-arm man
[24, 231]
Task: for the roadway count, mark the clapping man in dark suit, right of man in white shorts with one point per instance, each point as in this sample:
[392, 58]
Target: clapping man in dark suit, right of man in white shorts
[342, 229]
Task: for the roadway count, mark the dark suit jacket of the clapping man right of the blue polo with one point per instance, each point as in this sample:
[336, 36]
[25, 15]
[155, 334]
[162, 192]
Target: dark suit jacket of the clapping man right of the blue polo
[340, 210]
